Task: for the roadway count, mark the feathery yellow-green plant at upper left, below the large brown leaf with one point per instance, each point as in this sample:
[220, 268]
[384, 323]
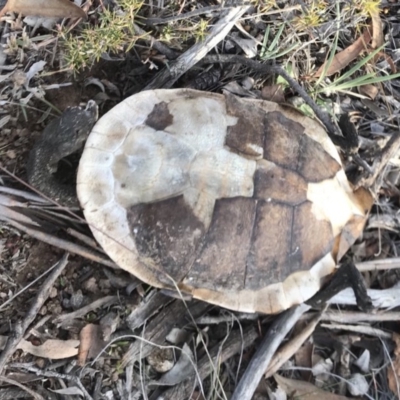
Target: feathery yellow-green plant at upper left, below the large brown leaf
[115, 33]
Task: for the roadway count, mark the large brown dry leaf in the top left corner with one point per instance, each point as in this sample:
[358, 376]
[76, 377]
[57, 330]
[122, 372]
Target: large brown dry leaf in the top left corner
[44, 8]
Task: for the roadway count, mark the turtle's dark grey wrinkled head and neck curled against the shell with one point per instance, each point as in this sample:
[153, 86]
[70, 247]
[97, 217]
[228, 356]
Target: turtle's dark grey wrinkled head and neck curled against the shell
[61, 137]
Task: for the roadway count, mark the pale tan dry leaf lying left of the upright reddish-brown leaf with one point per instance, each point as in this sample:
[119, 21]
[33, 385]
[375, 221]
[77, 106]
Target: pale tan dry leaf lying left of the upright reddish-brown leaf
[54, 349]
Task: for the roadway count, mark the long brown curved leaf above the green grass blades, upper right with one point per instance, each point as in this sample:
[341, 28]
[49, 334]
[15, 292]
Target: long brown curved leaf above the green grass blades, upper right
[346, 56]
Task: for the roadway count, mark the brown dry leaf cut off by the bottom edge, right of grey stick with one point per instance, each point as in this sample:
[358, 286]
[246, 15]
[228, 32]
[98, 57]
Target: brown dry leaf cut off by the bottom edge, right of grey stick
[304, 390]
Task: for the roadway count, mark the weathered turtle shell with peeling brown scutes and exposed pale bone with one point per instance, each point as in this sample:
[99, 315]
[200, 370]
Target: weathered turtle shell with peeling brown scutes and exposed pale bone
[239, 202]
